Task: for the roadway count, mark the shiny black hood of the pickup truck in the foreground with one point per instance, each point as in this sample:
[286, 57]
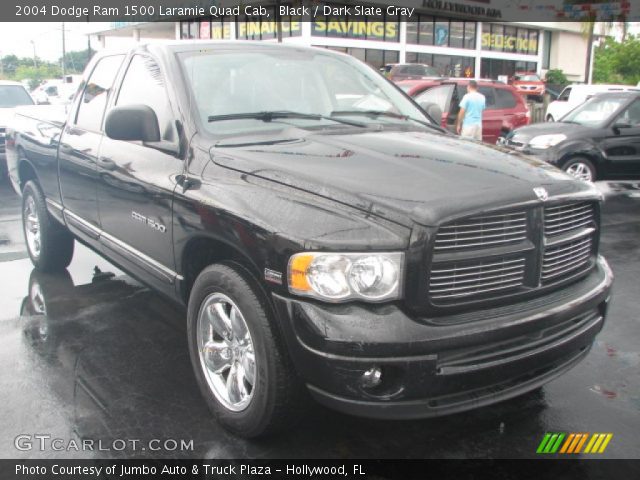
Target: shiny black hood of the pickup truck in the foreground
[403, 176]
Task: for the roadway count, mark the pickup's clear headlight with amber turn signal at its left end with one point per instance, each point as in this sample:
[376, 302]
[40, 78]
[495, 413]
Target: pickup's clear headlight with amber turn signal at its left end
[338, 277]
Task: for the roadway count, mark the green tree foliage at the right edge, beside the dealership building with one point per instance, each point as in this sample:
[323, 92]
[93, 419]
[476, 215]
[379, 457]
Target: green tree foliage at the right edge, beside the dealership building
[616, 62]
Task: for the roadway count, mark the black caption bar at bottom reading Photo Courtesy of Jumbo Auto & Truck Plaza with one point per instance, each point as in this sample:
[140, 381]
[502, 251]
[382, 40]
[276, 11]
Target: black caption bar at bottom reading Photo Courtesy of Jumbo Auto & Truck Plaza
[318, 469]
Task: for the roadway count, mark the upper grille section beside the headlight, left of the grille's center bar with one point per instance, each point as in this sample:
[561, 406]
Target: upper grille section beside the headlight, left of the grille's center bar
[482, 231]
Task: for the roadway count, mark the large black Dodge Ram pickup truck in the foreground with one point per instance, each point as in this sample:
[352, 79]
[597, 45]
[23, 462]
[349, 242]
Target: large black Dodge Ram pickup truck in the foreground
[325, 235]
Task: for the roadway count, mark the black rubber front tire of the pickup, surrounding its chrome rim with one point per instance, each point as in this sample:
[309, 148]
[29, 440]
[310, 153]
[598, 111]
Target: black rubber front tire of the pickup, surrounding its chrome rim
[278, 395]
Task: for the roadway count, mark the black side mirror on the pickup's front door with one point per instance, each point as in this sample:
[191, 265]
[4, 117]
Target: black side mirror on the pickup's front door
[132, 123]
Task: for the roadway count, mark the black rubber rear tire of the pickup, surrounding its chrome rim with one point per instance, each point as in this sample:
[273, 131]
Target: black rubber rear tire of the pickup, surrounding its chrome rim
[55, 241]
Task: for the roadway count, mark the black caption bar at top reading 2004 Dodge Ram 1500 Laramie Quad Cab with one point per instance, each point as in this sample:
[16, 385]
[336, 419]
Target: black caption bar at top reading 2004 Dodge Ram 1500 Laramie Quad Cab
[312, 10]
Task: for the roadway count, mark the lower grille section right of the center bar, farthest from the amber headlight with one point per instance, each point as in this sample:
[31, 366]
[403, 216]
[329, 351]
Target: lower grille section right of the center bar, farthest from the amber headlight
[566, 258]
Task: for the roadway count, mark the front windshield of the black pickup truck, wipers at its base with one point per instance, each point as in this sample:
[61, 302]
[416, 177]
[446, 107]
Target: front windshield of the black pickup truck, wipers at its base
[316, 85]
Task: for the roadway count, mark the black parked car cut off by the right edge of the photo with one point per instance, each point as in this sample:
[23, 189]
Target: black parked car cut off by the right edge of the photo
[600, 139]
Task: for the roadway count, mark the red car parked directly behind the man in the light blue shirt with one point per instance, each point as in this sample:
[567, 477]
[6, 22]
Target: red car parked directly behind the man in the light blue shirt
[505, 108]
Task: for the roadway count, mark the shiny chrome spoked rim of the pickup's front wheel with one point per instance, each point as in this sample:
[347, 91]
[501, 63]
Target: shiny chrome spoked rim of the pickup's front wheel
[226, 352]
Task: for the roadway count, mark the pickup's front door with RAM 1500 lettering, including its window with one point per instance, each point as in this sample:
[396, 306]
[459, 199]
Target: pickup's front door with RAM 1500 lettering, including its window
[136, 181]
